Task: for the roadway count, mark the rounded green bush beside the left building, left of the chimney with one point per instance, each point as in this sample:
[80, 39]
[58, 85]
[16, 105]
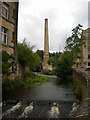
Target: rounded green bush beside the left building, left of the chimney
[26, 56]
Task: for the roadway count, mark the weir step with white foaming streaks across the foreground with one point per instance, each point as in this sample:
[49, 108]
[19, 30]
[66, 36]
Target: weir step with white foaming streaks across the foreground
[36, 109]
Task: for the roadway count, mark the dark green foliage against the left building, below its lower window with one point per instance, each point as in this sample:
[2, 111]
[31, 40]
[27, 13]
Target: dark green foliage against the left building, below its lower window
[6, 64]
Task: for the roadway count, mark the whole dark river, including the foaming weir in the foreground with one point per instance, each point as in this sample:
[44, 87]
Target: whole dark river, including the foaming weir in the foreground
[49, 100]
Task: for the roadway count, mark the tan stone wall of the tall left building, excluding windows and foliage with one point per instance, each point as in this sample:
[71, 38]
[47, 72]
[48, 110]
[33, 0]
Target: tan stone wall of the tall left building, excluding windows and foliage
[10, 24]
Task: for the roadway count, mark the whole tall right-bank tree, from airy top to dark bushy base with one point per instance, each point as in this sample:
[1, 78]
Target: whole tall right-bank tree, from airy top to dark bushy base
[72, 51]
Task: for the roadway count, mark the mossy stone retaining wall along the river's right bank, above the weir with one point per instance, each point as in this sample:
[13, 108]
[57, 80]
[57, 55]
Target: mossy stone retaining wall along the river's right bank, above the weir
[80, 80]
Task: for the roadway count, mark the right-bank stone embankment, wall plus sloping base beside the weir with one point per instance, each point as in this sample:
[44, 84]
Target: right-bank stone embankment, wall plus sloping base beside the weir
[81, 82]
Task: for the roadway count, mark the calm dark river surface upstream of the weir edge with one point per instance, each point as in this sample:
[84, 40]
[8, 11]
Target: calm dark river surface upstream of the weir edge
[52, 90]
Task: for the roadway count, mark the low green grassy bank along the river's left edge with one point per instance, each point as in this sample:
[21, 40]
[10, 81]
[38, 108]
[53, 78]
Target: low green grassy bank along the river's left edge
[29, 80]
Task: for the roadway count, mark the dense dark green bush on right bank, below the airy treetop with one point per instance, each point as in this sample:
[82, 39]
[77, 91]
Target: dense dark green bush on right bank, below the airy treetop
[64, 66]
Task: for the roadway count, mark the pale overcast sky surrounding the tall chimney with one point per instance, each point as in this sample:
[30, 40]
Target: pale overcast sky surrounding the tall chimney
[62, 15]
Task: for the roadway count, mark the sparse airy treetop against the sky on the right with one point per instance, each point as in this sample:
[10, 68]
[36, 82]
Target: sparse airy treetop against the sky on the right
[75, 41]
